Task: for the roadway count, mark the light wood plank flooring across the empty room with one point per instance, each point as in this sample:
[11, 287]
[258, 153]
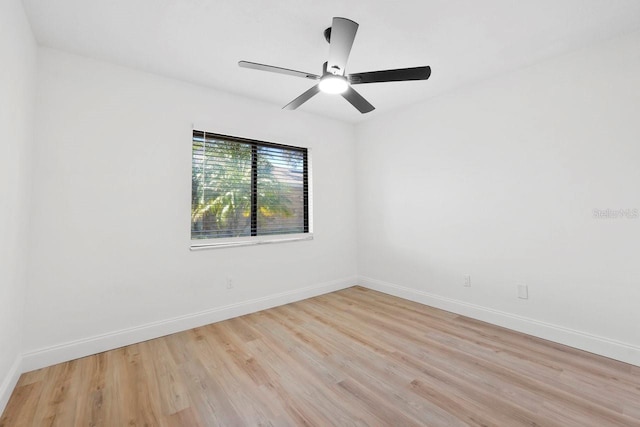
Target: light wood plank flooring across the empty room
[350, 358]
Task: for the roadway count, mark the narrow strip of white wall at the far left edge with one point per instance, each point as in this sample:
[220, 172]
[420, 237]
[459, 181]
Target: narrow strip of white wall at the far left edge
[17, 101]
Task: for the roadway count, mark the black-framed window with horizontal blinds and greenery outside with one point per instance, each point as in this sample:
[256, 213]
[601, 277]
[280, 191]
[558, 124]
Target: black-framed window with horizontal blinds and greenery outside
[242, 188]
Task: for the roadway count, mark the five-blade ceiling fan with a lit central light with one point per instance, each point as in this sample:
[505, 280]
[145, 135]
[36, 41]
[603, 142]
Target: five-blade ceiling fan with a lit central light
[340, 37]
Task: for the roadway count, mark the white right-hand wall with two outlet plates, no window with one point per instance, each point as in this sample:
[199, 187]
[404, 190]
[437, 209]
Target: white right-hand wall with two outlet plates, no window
[499, 181]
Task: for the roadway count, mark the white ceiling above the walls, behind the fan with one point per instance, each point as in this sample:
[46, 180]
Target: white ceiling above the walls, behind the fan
[201, 41]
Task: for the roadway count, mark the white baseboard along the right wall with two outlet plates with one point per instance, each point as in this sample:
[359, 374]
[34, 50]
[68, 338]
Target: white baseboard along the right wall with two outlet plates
[581, 340]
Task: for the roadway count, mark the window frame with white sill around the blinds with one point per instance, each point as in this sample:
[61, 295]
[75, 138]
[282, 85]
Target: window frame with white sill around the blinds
[254, 239]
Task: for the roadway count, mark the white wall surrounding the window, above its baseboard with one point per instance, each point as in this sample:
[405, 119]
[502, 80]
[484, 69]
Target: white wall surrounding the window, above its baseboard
[110, 247]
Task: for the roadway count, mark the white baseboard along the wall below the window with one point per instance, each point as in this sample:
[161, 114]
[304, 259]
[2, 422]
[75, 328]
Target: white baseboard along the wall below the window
[48, 356]
